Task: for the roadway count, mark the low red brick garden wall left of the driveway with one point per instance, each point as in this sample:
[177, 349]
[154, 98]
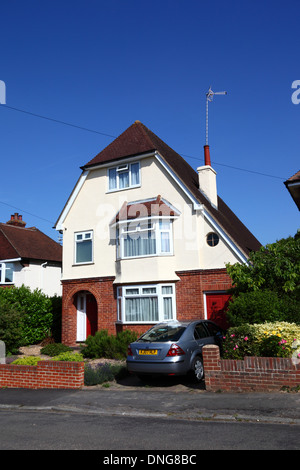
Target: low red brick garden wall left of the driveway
[47, 374]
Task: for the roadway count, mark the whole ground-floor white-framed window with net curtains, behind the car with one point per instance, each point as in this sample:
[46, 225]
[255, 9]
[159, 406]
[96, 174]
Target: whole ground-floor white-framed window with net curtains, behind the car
[146, 304]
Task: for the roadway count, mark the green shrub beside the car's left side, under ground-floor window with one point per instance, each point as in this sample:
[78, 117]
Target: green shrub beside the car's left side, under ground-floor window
[109, 346]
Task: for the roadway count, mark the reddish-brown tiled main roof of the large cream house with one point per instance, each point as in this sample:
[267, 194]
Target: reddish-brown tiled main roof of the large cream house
[138, 139]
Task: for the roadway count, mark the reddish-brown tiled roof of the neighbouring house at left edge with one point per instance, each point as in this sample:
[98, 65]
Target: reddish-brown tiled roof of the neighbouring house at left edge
[28, 243]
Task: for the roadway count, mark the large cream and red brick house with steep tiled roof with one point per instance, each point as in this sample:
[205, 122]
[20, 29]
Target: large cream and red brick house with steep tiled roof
[146, 239]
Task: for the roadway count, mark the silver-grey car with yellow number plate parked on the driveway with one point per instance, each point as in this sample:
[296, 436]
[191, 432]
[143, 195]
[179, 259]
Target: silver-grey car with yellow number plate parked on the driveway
[173, 348]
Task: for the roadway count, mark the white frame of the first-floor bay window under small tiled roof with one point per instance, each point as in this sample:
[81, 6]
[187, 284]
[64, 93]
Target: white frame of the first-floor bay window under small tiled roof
[154, 224]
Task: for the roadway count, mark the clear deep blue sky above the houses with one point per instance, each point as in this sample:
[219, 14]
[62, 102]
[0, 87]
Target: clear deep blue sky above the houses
[102, 65]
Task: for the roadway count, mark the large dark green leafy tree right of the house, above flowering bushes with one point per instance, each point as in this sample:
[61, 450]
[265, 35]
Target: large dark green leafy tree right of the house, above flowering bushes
[268, 287]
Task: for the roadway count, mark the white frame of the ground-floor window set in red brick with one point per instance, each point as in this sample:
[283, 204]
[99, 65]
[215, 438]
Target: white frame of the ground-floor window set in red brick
[122, 295]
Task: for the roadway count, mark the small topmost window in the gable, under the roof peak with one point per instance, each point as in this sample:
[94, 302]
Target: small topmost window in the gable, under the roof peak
[124, 176]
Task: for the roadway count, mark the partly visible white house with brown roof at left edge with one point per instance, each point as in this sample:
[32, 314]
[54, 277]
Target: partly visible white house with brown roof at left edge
[29, 257]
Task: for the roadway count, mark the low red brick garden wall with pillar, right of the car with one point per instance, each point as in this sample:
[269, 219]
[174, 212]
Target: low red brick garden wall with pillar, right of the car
[253, 374]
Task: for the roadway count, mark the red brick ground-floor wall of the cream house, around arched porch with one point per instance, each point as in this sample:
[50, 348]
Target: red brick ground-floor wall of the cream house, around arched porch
[189, 300]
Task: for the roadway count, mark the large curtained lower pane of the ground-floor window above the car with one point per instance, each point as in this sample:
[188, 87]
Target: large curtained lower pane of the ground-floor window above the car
[141, 309]
